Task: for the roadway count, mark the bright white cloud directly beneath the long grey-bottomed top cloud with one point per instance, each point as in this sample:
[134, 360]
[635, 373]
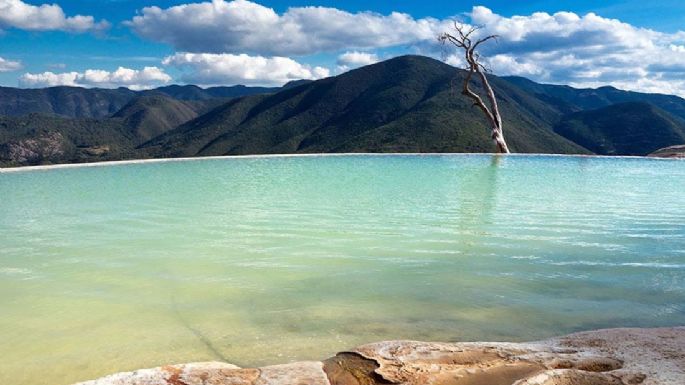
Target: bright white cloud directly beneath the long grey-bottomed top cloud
[222, 69]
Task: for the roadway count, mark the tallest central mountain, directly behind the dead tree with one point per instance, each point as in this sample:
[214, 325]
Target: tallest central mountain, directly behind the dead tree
[405, 104]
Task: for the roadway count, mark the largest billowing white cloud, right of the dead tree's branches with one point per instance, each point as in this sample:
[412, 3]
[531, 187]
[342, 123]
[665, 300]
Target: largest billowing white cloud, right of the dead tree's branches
[583, 51]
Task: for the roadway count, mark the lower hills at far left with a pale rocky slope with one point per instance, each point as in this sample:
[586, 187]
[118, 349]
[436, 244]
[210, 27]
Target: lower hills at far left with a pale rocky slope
[39, 138]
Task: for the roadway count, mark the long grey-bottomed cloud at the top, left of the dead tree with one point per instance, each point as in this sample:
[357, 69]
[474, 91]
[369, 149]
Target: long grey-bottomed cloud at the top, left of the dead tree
[242, 26]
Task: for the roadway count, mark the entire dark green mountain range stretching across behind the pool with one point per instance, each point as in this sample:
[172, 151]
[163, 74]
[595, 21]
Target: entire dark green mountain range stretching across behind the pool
[405, 104]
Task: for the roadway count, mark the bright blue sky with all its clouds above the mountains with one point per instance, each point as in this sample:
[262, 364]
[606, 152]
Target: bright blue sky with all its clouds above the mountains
[634, 45]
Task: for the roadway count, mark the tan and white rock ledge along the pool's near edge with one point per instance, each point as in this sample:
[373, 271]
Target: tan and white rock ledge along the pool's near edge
[604, 357]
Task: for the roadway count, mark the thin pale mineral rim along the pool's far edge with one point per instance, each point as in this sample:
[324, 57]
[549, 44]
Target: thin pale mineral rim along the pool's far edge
[341, 154]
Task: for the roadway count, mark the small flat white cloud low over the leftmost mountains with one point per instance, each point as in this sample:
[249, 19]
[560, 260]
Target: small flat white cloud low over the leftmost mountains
[148, 77]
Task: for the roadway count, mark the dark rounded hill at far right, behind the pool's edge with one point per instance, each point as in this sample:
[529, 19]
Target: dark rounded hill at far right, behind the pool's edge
[632, 128]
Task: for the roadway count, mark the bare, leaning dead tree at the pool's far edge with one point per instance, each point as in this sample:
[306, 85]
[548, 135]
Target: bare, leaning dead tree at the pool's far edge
[464, 40]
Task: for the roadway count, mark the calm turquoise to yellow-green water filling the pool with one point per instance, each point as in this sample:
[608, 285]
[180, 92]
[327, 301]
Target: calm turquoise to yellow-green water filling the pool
[268, 260]
